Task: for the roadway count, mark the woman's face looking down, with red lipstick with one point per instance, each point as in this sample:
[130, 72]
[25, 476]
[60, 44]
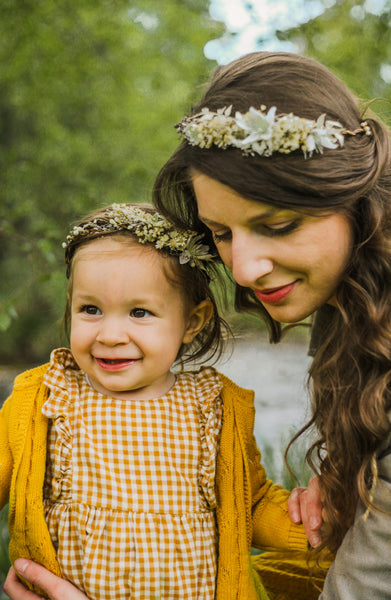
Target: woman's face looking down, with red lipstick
[293, 261]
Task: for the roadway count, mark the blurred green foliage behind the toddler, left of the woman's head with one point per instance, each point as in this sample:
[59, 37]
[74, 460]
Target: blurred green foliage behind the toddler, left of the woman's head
[90, 92]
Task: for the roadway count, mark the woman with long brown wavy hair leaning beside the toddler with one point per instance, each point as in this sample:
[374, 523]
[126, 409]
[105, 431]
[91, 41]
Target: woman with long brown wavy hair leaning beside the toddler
[293, 188]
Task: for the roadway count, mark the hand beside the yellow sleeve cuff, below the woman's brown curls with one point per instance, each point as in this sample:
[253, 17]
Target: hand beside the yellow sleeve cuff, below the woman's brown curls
[305, 506]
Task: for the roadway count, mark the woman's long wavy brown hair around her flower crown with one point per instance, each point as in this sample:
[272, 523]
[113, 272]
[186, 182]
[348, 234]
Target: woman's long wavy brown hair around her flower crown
[351, 371]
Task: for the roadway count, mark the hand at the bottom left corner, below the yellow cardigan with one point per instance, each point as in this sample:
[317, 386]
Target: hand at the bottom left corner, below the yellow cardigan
[54, 587]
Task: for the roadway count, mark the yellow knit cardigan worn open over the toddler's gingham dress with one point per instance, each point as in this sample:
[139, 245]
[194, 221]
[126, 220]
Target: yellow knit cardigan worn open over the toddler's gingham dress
[251, 511]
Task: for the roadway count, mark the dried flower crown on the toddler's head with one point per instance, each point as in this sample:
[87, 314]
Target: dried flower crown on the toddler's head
[147, 227]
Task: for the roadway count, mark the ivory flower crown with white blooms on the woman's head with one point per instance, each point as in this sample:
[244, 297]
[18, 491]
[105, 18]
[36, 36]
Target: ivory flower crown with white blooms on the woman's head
[261, 132]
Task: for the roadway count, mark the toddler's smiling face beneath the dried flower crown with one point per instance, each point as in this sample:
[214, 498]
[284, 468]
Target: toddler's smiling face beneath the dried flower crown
[127, 320]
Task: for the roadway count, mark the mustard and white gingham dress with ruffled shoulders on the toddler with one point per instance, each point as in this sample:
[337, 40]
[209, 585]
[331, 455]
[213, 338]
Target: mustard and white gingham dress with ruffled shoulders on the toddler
[129, 489]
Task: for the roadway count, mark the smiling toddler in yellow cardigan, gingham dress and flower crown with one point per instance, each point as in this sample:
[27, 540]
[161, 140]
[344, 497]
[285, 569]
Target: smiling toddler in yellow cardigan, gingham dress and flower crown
[125, 476]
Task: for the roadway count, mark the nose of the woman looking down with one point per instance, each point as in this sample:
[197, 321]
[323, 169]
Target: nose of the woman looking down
[250, 260]
